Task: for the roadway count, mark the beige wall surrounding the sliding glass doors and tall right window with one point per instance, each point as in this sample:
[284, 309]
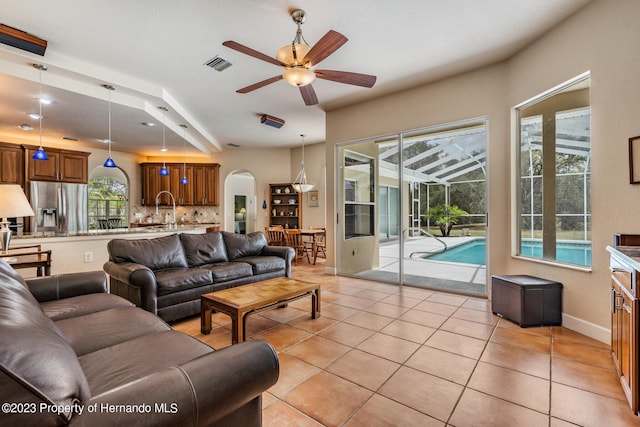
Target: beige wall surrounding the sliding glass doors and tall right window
[602, 38]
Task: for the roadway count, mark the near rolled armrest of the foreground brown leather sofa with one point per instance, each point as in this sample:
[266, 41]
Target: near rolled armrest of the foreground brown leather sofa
[199, 392]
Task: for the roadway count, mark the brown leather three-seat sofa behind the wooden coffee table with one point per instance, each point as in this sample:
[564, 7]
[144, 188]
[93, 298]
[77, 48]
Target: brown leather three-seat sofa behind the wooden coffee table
[167, 275]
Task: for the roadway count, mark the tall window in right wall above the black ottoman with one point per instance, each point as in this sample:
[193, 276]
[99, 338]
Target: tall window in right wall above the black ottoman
[555, 175]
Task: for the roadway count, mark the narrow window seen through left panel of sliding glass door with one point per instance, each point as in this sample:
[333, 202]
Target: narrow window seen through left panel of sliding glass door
[359, 201]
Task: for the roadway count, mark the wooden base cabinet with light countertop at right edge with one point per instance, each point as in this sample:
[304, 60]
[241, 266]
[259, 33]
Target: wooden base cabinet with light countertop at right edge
[624, 320]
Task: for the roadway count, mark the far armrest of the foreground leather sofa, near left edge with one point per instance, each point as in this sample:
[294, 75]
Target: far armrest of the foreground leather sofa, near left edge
[51, 288]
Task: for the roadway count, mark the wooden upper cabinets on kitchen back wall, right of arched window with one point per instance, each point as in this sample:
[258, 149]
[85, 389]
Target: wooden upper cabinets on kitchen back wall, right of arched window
[201, 190]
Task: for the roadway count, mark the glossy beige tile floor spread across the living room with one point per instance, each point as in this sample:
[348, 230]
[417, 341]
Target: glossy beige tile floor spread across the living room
[384, 356]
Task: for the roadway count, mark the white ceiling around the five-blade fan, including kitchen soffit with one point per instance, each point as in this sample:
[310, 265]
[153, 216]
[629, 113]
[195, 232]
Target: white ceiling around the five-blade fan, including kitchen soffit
[153, 52]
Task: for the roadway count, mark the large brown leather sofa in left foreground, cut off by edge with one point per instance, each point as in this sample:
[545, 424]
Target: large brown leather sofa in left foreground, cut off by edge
[72, 354]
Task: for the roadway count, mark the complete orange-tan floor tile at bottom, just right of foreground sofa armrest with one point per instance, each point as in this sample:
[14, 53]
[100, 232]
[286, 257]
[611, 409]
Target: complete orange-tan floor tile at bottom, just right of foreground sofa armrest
[328, 399]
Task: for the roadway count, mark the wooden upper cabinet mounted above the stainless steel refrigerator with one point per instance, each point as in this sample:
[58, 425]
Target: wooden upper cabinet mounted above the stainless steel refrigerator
[62, 166]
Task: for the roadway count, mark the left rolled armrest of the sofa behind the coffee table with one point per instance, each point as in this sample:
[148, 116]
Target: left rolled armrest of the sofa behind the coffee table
[139, 278]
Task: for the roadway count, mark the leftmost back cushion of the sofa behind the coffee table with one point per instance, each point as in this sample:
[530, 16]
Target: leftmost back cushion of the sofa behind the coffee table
[157, 254]
